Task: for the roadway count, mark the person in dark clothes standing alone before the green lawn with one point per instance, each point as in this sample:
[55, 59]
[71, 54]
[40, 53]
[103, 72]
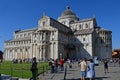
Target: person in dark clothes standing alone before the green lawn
[34, 69]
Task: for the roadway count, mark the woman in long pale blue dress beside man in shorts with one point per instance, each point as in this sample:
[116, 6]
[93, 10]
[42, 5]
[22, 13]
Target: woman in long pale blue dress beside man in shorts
[91, 70]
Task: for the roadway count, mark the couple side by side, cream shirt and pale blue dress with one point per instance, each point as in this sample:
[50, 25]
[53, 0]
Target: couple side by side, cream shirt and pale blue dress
[87, 69]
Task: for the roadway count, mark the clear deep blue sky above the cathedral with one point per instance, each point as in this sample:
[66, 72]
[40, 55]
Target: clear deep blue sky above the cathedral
[24, 14]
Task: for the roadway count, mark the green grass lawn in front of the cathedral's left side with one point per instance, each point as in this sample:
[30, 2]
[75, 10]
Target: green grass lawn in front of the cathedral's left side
[21, 70]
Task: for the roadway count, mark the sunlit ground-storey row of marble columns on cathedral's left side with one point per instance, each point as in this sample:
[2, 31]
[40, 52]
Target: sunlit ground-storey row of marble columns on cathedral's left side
[38, 51]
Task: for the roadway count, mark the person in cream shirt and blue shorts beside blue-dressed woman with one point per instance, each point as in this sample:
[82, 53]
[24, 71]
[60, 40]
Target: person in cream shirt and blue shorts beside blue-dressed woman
[83, 66]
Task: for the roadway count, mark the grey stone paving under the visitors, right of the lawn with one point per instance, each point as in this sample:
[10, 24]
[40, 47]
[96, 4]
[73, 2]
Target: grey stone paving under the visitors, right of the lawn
[74, 73]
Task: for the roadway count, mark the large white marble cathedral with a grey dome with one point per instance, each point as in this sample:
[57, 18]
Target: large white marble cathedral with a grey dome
[67, 37]
